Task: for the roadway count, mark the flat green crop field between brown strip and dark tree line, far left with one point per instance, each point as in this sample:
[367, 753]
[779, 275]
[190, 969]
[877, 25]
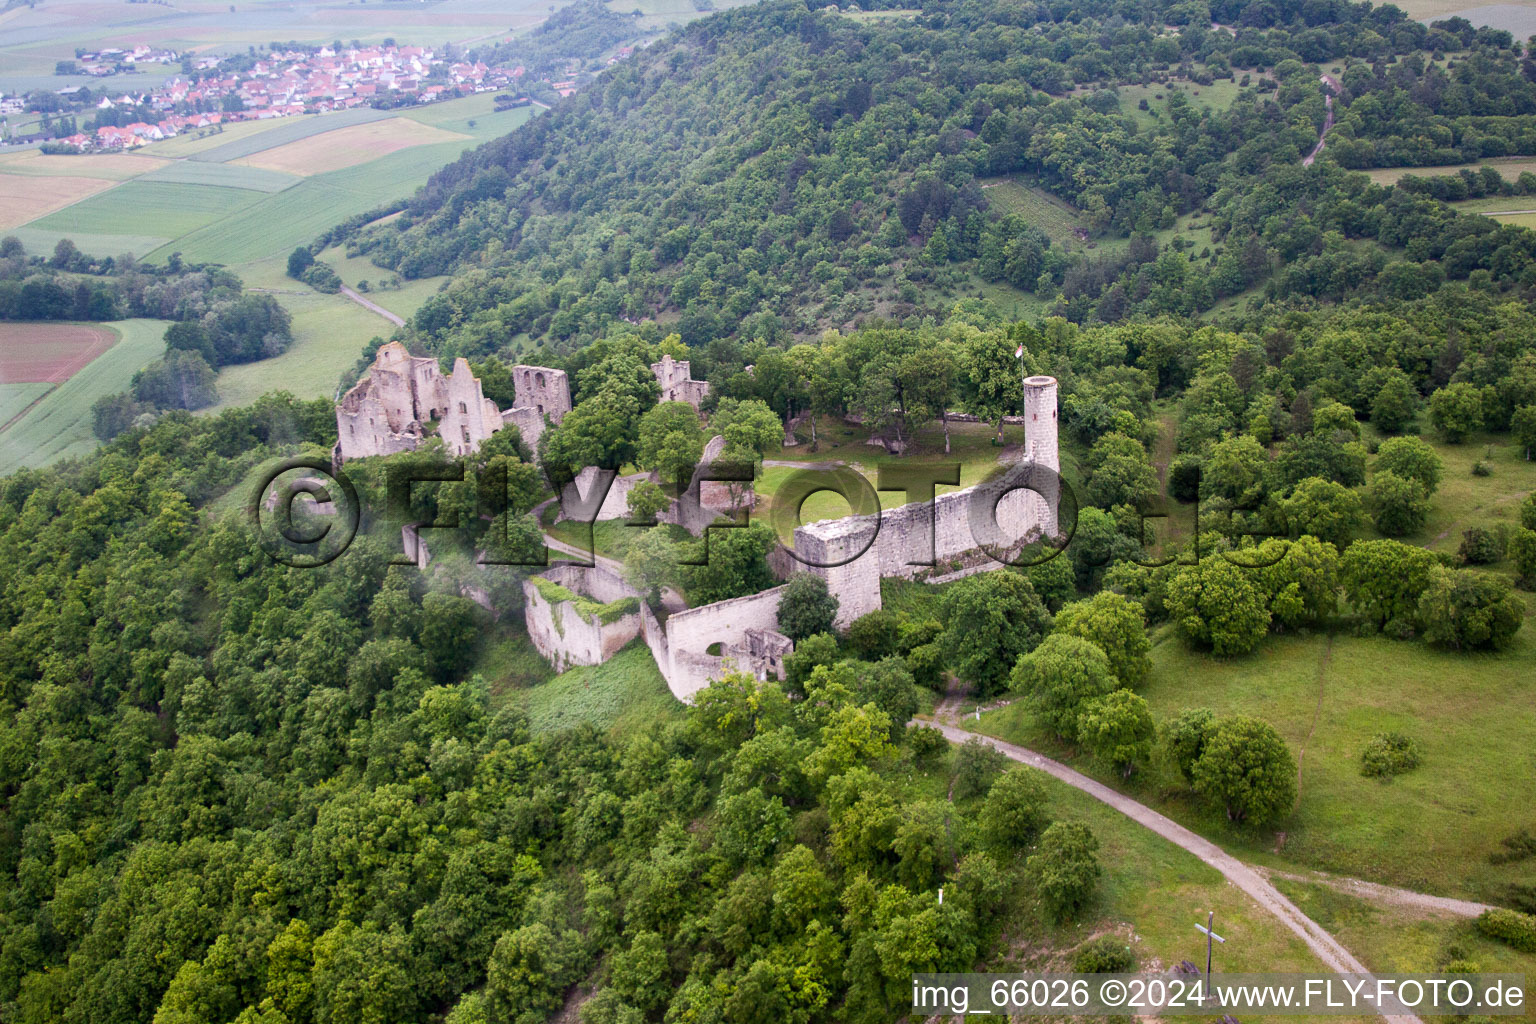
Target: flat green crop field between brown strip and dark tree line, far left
[150, 208]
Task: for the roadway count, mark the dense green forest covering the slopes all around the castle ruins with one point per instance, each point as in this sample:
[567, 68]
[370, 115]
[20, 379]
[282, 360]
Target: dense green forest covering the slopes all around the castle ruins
[245, 793]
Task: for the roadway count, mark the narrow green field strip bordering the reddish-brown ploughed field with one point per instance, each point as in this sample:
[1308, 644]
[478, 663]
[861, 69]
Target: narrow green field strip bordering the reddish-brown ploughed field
[61, 424]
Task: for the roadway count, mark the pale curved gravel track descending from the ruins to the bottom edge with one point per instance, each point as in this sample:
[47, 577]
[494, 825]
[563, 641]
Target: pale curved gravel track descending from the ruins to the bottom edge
[1250, 880]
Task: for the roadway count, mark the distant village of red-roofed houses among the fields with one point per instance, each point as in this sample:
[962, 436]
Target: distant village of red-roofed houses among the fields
[280, 84]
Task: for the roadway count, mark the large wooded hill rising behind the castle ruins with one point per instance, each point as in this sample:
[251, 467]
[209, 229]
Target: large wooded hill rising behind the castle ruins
[773, 171]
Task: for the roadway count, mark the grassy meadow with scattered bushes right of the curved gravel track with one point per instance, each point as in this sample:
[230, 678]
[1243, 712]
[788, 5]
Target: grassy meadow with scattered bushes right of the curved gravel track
[1431, 830]
